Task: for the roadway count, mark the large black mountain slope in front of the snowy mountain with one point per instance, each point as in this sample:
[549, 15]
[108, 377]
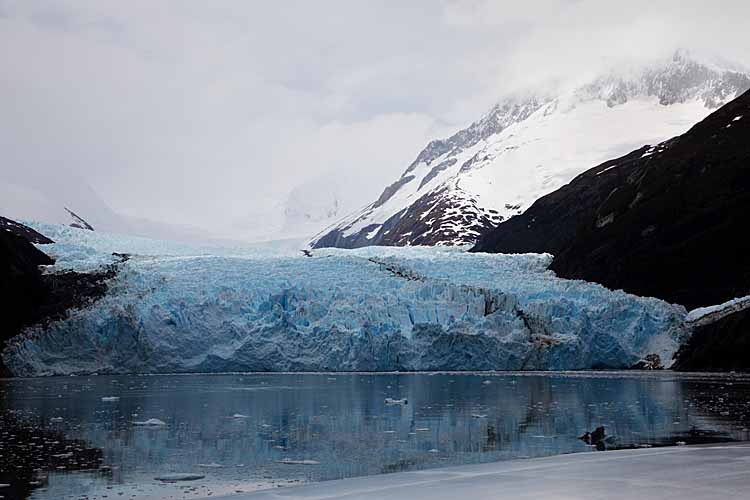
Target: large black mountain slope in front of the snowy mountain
[667, 221]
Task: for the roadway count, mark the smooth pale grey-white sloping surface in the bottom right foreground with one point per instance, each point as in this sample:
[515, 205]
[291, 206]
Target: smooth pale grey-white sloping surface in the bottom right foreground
[687, 473]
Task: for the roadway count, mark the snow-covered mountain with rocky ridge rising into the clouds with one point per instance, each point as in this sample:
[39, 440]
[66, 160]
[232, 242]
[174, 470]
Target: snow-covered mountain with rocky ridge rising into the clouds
[528, 146]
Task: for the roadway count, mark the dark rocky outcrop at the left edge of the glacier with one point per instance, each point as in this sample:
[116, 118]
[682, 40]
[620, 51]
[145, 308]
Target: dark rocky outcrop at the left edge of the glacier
[30, 297]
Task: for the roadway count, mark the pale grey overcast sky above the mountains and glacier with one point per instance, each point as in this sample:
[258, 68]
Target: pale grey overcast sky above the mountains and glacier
[198, 111]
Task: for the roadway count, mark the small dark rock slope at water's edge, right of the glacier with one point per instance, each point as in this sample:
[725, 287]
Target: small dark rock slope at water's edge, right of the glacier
[719, 346]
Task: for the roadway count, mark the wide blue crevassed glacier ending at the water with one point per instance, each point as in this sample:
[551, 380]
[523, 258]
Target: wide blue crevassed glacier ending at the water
[180, 308]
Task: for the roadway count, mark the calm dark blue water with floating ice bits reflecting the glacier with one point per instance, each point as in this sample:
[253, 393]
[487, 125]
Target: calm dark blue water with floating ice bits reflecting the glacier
[59, 439]
